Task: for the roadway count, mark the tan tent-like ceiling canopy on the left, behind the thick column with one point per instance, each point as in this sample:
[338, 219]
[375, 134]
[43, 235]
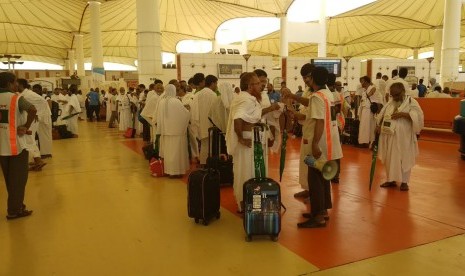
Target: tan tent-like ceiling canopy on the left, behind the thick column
[43, 30]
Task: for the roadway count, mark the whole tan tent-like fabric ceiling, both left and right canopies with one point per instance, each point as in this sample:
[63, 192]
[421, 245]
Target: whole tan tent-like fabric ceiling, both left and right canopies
[42, 30]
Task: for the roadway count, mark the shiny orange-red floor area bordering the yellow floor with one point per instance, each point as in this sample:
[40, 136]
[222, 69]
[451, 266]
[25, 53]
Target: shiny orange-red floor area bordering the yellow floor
[367, 224]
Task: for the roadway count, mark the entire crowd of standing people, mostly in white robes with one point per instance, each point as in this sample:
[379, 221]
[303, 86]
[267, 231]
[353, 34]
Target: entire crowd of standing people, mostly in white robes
[178, 117]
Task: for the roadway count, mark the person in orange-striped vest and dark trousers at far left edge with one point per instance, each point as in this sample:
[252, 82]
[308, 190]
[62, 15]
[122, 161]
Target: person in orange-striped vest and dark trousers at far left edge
[13, 153]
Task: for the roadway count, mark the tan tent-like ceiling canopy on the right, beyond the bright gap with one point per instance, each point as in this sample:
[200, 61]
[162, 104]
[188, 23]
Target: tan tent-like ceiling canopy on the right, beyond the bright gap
[385, 28]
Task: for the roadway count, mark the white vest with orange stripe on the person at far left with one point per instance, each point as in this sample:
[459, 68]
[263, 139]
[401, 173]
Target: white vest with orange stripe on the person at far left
[10, 119]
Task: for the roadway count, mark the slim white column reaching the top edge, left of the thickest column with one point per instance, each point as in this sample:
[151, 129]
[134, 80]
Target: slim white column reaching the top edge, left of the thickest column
[98, 72]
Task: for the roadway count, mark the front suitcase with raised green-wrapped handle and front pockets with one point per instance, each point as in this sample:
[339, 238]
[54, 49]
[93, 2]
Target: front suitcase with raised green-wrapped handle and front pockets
[262, 199]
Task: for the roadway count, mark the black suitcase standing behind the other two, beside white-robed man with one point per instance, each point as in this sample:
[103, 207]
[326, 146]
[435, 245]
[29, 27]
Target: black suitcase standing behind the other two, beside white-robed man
[218, 158]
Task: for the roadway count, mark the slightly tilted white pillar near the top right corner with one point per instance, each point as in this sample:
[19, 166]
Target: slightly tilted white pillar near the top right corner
[451, 41]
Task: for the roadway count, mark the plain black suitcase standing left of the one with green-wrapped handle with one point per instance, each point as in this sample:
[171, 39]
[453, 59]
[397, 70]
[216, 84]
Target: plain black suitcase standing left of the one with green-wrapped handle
[203, 195]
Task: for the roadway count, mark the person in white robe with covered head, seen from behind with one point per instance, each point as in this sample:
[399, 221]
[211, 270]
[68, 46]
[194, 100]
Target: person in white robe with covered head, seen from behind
[172, 121]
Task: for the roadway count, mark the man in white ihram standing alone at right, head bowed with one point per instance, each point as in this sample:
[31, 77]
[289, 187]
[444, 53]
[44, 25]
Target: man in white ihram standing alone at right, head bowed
[399, 123]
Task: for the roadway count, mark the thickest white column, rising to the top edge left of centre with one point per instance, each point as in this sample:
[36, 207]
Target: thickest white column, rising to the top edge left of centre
[148, 41]
